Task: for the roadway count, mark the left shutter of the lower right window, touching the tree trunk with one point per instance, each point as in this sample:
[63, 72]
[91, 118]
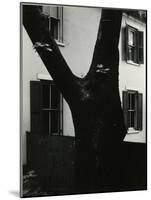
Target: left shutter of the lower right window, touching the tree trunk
[125, 108]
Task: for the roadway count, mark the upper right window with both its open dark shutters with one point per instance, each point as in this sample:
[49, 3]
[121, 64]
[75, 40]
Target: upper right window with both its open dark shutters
[134, 46]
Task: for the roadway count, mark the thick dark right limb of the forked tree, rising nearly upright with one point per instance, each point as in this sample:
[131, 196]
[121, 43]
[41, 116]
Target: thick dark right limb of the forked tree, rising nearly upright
[106, 47]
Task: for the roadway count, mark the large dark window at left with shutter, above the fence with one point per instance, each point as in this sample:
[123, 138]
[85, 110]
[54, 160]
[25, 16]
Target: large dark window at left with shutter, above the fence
[46, 108]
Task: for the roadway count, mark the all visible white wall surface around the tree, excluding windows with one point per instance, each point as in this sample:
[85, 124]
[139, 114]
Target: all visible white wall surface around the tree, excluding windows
[80, 26]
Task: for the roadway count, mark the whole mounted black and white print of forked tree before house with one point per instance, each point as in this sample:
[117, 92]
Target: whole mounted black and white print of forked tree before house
[83, 97]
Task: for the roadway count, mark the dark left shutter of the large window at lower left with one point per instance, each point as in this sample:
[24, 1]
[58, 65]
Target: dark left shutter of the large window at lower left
[35, 106]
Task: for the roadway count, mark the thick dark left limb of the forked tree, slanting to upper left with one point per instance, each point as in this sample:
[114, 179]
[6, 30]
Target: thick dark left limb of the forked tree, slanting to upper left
[35, 23]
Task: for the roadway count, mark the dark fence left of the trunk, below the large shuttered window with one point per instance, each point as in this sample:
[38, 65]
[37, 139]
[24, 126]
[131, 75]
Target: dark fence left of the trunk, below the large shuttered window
[52, 157]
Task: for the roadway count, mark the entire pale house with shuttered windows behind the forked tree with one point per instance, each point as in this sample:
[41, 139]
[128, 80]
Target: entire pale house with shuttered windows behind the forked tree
[75, 31]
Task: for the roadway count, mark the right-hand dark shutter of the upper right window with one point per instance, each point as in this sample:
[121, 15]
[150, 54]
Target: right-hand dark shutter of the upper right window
[141, 47]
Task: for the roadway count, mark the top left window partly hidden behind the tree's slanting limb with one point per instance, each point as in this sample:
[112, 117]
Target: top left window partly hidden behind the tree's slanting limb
[55, 21]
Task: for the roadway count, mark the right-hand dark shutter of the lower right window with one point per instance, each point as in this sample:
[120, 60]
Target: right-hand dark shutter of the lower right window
[139, 111]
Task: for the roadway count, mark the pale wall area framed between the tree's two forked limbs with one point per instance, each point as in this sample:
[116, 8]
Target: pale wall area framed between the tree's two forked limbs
[80, 31]
